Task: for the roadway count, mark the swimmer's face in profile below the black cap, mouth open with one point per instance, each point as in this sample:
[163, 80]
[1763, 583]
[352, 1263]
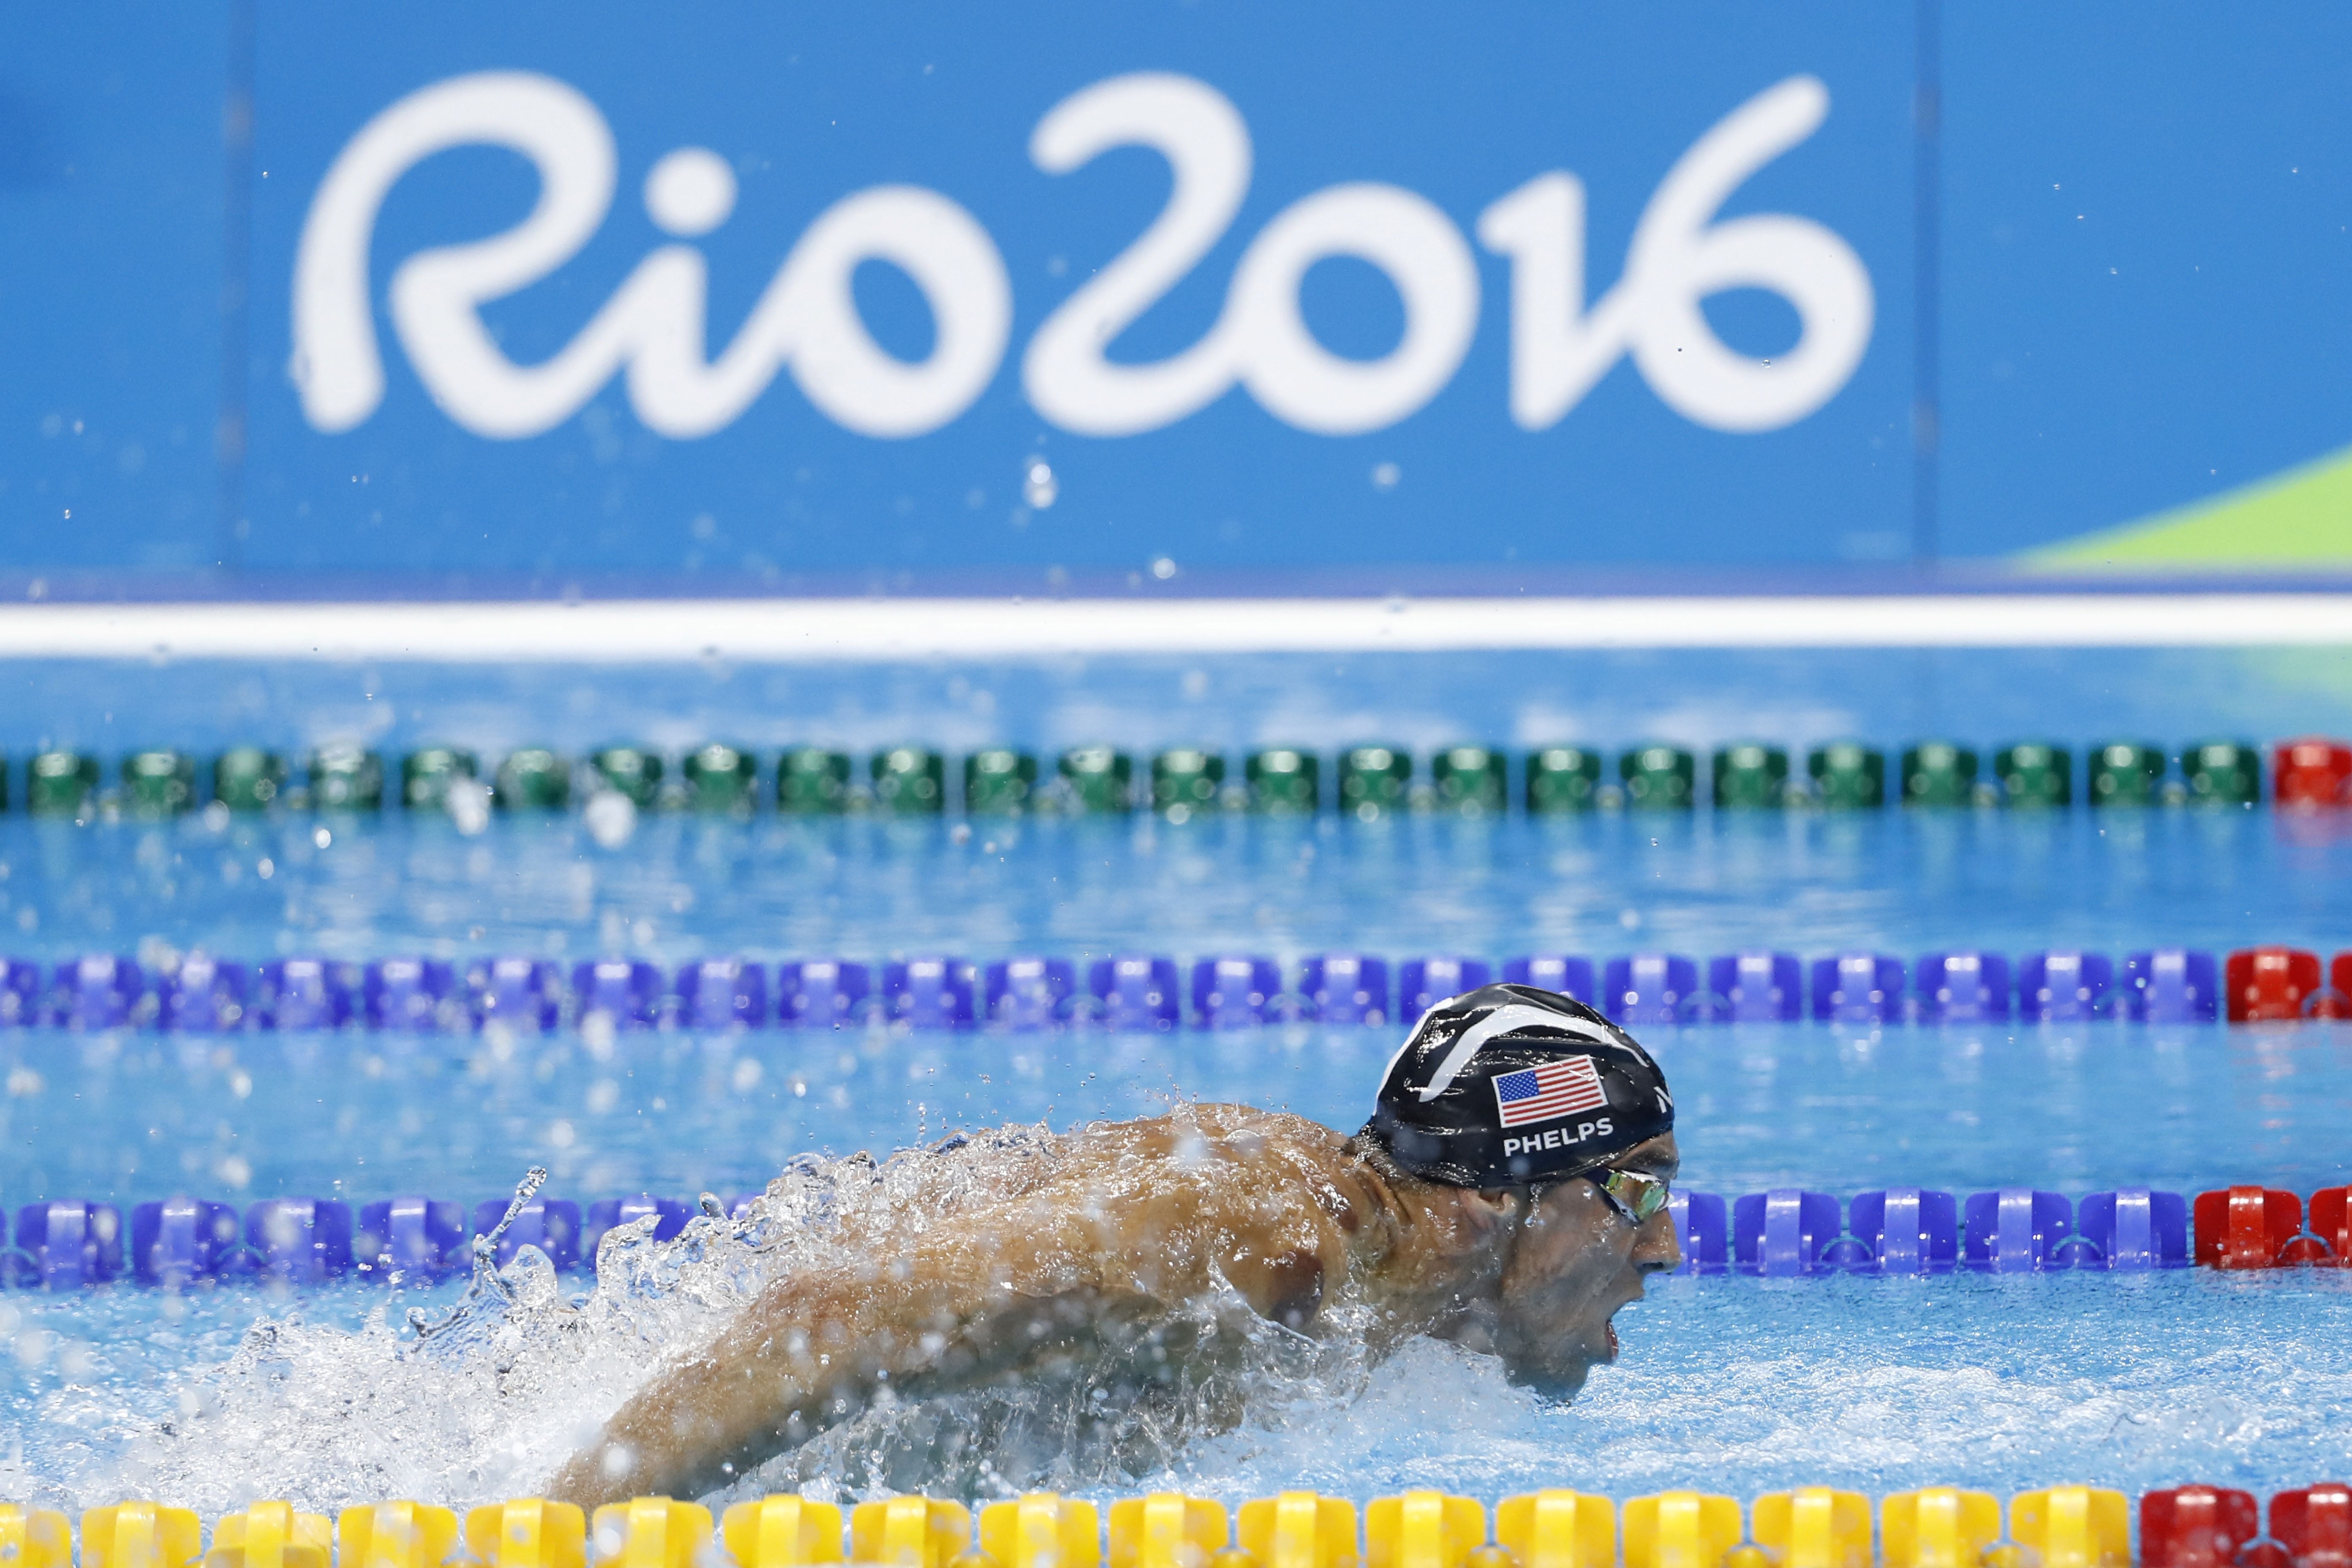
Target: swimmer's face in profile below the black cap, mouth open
[1575, 1264]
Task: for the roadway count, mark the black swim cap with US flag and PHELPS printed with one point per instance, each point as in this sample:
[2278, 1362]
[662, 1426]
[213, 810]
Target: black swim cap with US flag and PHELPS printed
[1511, 1085]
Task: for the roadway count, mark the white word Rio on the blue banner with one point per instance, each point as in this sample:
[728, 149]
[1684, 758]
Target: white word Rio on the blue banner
[655, 321]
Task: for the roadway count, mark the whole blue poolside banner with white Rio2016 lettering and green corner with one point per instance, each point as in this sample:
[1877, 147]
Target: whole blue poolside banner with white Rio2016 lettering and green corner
[796, 300]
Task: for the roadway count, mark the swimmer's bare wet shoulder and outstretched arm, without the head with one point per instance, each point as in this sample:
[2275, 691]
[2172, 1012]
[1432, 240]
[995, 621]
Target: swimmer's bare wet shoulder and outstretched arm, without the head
[1125, 1221]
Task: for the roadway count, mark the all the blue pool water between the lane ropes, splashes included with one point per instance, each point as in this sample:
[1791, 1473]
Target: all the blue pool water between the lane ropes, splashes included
[1728, 1383]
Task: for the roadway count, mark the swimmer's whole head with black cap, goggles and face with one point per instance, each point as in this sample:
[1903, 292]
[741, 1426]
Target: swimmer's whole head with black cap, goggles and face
[1558, 1130]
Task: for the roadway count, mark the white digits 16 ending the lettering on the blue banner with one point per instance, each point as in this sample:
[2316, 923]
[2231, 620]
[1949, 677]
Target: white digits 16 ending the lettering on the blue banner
[1558, 349]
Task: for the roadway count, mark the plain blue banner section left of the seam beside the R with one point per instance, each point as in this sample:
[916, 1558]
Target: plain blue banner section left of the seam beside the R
[112, 288]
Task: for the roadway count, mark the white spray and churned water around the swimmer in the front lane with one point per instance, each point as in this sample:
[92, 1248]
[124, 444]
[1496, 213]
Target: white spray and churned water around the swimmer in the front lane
[1742, 1386]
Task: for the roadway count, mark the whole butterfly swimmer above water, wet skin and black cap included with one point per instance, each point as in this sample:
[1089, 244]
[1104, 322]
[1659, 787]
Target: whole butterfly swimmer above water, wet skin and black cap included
[1509, 1193]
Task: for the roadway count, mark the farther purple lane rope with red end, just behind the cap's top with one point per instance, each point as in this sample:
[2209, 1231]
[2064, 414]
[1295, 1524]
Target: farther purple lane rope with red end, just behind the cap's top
[1156, 993]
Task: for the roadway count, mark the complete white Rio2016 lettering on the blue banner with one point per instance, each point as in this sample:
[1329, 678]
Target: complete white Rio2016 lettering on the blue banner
[808, 323]
